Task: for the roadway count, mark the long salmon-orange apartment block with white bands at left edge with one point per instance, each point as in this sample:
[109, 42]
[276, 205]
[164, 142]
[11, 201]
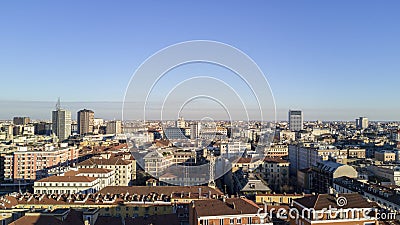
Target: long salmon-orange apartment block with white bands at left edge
[31, 164]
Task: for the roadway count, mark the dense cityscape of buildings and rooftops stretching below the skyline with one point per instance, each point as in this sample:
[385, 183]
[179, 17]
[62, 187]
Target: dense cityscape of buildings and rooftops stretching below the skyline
[90, 169]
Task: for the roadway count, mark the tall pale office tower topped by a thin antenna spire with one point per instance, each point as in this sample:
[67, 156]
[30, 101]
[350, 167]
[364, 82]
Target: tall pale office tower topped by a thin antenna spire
[61, 120]
